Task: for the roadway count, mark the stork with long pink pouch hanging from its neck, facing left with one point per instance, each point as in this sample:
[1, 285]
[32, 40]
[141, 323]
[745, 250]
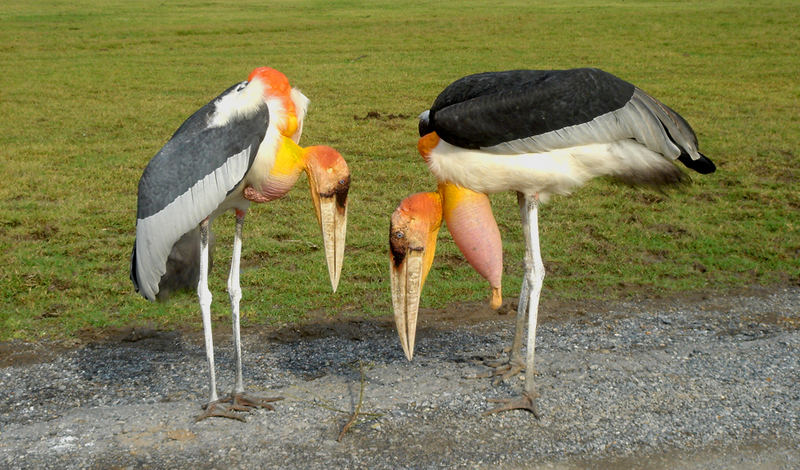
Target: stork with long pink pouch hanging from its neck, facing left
[538, 133]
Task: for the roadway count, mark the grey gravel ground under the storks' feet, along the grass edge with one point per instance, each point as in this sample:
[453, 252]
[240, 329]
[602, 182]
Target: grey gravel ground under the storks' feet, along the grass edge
[702, 383]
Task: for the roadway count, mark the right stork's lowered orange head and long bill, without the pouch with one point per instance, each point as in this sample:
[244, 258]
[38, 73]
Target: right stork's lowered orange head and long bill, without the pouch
[412, 244]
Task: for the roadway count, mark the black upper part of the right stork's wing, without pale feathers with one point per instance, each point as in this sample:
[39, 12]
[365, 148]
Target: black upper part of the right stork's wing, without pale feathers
[484, 110]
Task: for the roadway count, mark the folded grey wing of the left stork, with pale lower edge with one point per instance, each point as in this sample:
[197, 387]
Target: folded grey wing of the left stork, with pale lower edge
[185, 182]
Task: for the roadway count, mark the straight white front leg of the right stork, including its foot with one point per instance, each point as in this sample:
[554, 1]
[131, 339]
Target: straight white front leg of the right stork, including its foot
[534, 276]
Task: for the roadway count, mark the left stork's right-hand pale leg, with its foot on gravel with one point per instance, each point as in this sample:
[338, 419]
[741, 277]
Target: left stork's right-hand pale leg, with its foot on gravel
[239, 401]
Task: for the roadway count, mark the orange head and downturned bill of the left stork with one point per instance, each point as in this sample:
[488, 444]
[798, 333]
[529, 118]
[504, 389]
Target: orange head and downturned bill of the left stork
[329, 181]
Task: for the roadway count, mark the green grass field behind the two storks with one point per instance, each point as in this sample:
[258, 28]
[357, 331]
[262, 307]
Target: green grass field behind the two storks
[89, 91]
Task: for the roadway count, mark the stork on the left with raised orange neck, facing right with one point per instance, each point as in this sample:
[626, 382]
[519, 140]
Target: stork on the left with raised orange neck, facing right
[239, 148]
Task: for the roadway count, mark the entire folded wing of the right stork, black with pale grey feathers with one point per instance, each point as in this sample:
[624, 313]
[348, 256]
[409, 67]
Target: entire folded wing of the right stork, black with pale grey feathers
[528, 111]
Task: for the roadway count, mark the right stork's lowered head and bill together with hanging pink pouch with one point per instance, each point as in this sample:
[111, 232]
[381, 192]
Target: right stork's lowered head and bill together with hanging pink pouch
[412, 243]
